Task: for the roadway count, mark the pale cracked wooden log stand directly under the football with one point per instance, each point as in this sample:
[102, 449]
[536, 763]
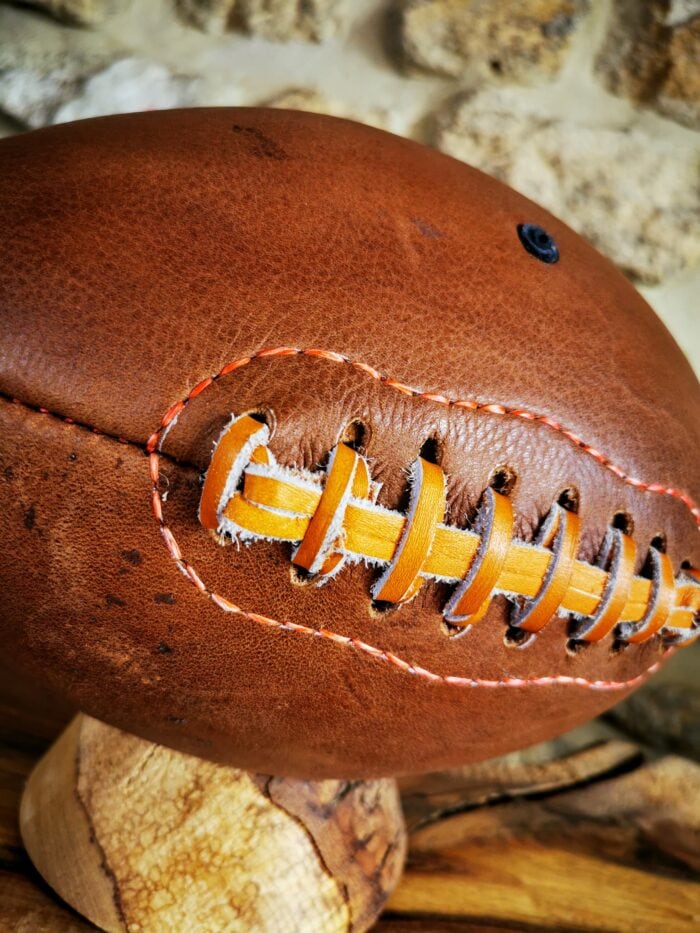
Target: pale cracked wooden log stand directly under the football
[136, 836]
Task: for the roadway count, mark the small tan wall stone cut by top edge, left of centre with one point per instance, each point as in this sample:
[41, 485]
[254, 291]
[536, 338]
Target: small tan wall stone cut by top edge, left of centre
[282, 20]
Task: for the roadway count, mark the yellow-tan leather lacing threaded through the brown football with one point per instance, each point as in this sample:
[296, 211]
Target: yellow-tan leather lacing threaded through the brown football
[332, 517]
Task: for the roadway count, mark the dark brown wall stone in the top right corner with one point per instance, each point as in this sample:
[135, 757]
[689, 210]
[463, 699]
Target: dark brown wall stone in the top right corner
[652, 56]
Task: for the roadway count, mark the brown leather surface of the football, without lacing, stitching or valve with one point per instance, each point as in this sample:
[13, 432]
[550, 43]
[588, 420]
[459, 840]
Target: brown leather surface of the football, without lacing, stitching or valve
[140, 254]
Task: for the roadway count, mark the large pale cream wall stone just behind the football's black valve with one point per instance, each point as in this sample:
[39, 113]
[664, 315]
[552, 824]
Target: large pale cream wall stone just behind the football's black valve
[634, 196]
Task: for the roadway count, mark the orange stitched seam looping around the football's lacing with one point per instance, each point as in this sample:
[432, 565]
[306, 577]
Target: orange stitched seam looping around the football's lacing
[169, 419]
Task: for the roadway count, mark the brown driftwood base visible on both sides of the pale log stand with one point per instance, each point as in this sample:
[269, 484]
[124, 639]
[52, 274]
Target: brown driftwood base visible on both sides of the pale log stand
[591, 832]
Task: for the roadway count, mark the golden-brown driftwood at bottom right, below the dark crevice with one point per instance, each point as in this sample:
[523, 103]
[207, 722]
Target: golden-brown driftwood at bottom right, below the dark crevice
[618, 854]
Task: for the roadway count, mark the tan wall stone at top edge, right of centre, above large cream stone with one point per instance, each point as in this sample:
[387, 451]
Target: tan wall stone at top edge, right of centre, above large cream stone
[472, 38]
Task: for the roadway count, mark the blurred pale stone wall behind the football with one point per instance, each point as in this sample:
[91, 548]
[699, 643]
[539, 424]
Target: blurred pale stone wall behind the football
[591, 107]
